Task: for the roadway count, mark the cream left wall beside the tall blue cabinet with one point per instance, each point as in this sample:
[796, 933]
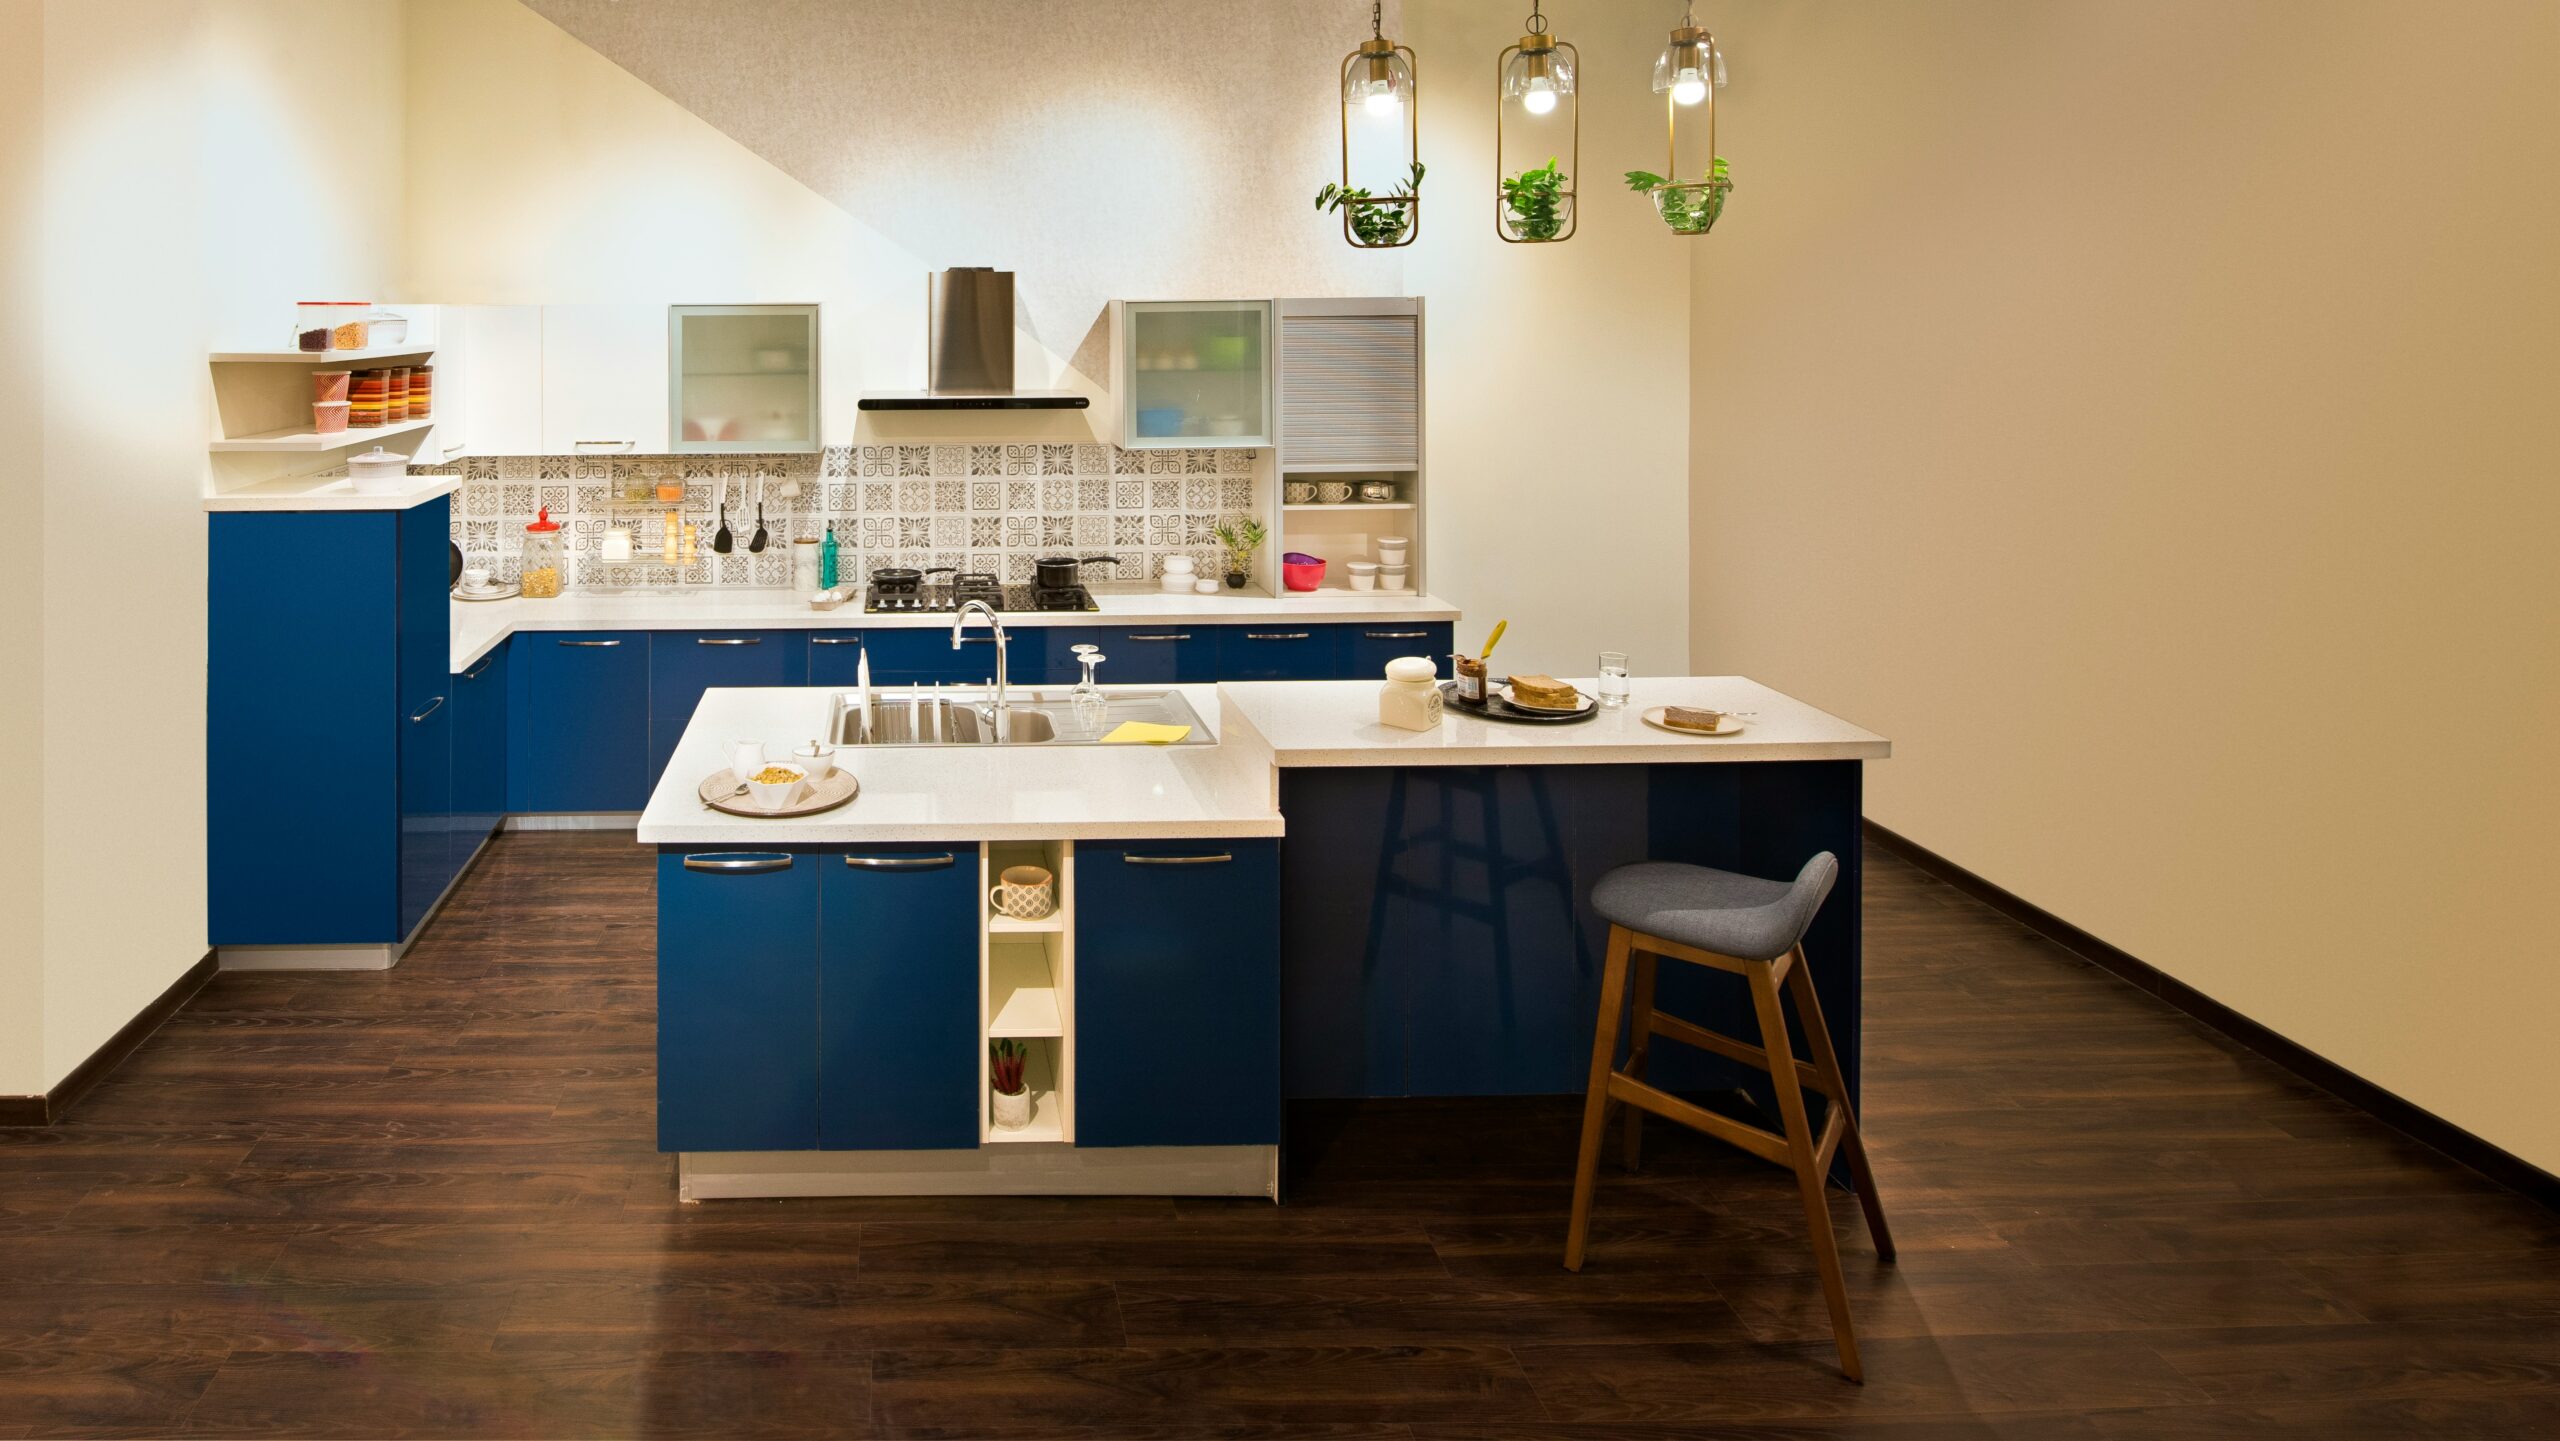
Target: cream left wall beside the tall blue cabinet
[198, 178]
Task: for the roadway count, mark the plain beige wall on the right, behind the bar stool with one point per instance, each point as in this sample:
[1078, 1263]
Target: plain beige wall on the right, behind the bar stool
[2147, 424]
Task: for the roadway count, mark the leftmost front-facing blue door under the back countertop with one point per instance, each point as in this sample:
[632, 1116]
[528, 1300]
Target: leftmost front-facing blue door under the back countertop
[577, 723]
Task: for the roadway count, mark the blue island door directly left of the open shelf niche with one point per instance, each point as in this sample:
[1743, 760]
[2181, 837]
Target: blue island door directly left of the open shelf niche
[900, 997]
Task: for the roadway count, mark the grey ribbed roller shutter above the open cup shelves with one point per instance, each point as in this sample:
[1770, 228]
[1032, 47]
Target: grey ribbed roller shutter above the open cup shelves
[1350, 385]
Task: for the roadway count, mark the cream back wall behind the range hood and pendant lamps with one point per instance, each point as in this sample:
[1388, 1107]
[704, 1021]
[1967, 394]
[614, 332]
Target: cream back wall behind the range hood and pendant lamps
[1166, 150]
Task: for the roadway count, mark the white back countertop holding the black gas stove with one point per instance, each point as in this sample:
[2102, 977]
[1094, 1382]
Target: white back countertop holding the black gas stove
[480, 626]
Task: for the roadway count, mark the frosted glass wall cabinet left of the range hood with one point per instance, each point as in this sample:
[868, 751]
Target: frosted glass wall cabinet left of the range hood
[741, 378]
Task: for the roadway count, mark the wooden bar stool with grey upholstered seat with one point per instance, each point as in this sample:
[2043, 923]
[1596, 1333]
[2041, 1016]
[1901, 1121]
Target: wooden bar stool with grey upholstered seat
[1755, 930]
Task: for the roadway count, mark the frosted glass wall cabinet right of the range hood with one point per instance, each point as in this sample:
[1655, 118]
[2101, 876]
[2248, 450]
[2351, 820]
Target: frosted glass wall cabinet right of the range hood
[1194, 372]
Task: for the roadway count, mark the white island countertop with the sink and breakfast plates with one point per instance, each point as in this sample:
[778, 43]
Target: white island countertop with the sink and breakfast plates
[1228, 790]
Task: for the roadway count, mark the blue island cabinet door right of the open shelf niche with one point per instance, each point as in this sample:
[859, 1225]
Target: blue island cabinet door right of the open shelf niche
[1179, 994]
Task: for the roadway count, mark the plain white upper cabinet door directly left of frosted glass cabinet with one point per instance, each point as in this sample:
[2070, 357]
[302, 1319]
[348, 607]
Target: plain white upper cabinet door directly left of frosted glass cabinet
[605, 380]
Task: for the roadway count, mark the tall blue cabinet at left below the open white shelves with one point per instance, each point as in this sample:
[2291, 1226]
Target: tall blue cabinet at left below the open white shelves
[329, 636]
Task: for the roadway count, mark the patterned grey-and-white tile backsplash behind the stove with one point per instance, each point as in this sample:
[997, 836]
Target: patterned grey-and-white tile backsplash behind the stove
[979, 508]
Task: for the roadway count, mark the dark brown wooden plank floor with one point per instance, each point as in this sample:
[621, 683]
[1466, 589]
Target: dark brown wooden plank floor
[426, 1204]
